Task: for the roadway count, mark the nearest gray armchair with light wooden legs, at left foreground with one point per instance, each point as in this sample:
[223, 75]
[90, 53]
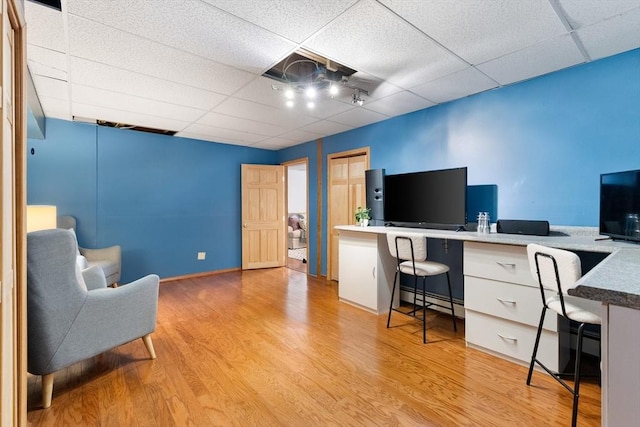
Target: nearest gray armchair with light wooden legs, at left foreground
[72, 314]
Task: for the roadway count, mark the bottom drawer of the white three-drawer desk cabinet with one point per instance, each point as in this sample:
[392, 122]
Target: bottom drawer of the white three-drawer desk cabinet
[511, 339]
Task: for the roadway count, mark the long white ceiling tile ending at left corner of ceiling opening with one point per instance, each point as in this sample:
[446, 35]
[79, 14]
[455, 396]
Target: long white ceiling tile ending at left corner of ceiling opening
[107, 45]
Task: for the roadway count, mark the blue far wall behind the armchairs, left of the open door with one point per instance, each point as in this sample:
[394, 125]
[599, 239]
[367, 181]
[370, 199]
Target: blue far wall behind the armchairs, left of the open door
[162, 199]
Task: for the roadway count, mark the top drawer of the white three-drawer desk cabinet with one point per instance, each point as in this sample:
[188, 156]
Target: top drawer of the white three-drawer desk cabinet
[506, 263]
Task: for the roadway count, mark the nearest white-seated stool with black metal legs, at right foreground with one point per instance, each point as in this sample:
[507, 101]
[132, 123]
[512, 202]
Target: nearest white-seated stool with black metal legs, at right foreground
[557, 271]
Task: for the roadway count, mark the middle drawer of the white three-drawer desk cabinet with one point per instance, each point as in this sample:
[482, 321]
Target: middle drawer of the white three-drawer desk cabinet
[507, 300]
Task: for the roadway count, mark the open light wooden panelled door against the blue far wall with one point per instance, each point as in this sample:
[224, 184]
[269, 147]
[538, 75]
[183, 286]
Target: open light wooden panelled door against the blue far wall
[263, 216]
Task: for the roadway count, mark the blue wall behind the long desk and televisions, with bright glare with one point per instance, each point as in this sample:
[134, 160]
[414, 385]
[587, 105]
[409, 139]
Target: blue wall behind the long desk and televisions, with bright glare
[543, 142]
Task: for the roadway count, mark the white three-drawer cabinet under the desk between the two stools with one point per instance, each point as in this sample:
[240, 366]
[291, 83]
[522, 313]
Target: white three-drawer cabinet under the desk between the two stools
[503, 304]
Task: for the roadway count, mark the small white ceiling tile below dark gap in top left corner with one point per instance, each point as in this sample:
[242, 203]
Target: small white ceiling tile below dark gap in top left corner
[45, 27]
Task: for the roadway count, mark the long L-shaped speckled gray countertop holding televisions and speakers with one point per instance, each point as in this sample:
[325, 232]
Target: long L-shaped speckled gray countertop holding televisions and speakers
[616, 280]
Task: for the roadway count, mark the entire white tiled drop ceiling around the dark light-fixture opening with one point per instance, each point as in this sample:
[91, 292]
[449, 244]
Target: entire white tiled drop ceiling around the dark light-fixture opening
[195, 66]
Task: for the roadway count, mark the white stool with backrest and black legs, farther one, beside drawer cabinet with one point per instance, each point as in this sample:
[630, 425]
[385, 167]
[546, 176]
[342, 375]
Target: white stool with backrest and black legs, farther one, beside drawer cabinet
[410, 252]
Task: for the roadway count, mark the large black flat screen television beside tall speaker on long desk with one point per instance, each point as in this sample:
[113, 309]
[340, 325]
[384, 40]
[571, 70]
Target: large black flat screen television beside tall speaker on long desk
[429, 199]
